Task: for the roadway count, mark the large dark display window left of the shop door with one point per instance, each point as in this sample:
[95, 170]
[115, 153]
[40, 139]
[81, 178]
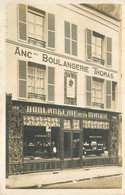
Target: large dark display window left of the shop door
[41, 142]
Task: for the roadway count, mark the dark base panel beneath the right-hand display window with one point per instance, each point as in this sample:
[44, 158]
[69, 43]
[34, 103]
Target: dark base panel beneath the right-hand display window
[100, 161]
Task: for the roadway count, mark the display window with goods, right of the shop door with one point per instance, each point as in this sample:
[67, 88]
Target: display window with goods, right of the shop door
[95, 142]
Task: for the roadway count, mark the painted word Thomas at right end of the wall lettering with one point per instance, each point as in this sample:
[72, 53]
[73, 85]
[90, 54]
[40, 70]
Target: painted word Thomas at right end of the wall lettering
[102, 73]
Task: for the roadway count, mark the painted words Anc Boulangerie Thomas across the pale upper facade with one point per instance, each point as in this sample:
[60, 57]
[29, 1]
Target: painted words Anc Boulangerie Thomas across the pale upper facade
[64, 63]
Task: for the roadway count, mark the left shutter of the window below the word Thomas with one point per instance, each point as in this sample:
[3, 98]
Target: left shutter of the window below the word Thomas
[88, 90]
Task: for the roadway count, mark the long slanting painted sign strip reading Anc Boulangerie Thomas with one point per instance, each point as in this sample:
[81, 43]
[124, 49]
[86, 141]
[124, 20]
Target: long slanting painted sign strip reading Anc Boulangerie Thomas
[63, 62]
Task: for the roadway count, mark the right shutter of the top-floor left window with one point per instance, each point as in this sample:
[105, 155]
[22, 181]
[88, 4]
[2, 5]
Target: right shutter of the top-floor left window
[51, 30]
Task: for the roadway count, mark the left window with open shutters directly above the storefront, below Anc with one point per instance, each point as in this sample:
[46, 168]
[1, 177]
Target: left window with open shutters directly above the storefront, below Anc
[32, 81]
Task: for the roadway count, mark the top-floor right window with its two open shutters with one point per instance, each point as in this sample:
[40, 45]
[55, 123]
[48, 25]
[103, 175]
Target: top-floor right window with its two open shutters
[98, 48]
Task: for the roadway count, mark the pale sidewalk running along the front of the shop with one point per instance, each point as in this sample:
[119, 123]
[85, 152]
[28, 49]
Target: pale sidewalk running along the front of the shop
[34, 180]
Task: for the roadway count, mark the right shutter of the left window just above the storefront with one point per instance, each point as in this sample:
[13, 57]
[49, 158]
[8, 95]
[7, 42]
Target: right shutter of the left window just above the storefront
[51, 83]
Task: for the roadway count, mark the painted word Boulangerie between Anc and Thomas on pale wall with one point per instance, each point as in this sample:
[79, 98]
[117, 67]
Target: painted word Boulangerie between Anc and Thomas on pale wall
[65, 63]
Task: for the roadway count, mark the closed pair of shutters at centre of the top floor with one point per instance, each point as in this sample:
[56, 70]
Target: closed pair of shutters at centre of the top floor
[70, 38]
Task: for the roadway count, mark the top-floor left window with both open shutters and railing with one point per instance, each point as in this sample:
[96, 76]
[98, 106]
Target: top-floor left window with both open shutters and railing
[33, 24]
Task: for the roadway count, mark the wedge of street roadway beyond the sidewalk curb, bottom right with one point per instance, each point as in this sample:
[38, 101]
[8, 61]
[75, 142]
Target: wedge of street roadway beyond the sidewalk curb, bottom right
[114, 182]
